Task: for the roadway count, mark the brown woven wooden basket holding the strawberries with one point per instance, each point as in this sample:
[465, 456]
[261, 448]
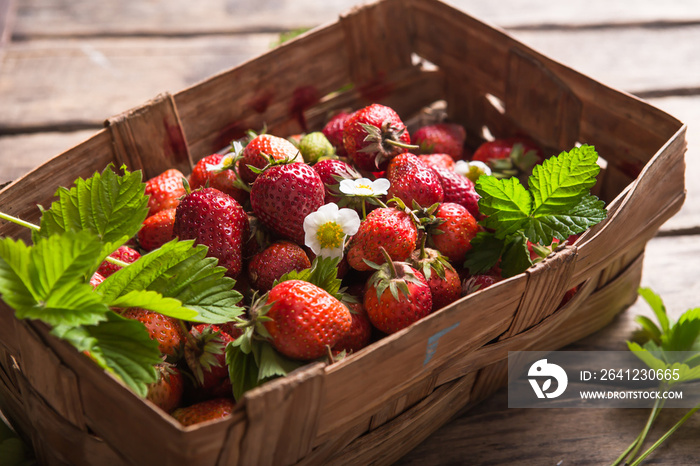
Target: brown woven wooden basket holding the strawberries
[380, 402]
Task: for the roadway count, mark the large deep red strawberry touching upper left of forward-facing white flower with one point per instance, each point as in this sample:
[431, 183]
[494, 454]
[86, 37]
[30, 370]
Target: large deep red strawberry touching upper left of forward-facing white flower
[283, 195]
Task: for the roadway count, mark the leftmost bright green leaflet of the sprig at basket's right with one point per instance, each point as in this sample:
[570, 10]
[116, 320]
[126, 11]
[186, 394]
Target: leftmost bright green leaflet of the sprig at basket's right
[505, 202]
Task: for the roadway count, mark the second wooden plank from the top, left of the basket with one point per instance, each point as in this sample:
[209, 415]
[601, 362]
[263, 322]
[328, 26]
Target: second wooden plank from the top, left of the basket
[77, 83]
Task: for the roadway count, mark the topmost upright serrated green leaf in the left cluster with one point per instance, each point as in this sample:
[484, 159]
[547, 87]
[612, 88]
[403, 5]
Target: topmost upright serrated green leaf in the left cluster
[111, 206]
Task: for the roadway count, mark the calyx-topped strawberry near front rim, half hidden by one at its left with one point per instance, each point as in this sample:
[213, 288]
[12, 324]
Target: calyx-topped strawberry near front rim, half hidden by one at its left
[443, 280]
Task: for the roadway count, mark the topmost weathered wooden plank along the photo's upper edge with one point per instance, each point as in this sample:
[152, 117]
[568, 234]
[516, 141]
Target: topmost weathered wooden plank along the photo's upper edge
[39, 18]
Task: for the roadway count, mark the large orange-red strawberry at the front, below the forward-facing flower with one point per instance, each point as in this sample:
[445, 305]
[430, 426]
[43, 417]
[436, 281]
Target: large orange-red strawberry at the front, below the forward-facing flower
[305, 320]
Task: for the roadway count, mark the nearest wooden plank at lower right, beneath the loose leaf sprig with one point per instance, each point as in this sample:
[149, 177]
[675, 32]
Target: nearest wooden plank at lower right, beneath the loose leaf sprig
[494, 434]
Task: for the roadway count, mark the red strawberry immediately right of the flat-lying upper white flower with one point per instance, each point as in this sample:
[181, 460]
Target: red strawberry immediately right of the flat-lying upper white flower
[412, 180]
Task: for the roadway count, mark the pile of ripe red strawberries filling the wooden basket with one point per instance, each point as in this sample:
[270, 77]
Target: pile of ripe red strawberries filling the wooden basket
[400, 259]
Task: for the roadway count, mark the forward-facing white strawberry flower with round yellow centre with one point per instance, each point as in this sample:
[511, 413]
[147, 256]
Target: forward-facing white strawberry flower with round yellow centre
[328, 227]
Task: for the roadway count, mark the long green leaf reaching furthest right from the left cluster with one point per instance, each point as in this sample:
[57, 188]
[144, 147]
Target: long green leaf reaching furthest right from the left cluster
[183, 272]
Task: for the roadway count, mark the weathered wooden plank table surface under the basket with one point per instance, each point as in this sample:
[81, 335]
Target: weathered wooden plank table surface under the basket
[67, 65]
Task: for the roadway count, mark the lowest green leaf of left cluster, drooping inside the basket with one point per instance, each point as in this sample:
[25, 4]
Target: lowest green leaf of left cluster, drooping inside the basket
[119, 345]
